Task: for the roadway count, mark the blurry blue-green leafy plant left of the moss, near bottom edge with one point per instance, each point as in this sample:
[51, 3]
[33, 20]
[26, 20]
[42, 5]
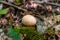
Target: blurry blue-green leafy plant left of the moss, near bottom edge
[14, 34]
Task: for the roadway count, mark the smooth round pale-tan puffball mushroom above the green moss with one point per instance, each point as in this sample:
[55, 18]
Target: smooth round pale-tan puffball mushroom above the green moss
[29, 20]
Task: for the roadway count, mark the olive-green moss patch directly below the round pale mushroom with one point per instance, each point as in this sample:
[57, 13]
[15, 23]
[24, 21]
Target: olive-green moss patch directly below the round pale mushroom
[31, 33]
